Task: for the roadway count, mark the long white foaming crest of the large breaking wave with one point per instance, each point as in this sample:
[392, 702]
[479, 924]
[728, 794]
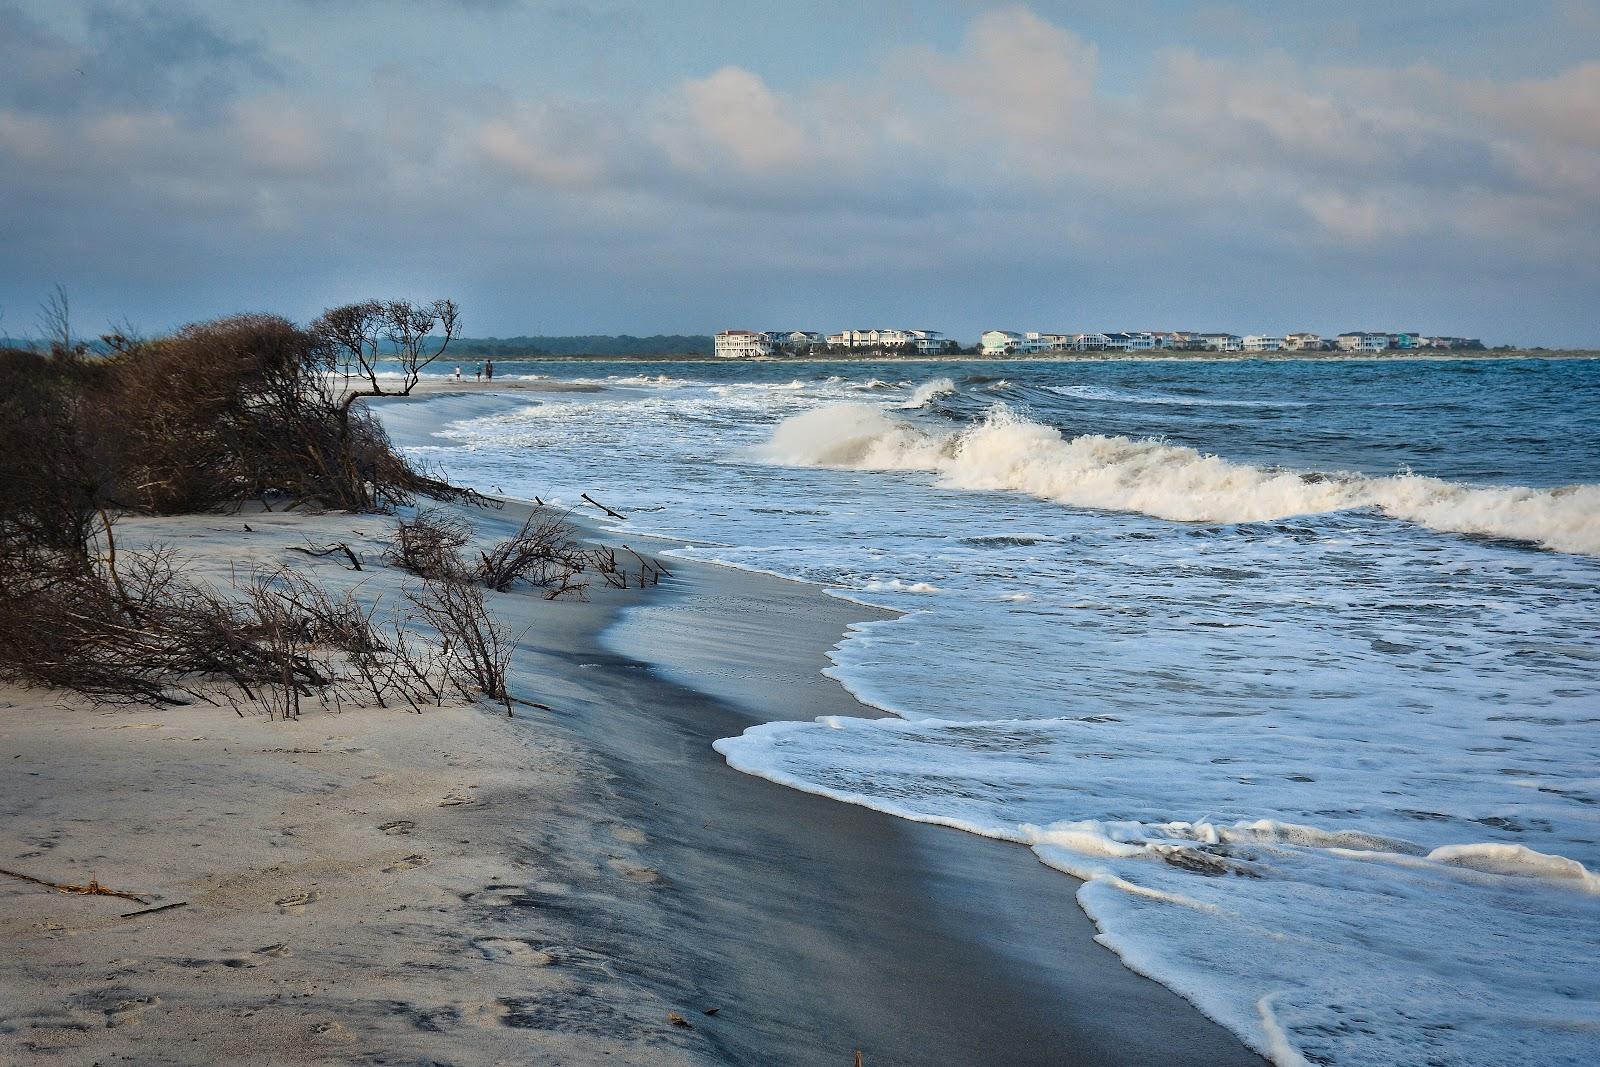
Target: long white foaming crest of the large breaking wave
[1010, 452]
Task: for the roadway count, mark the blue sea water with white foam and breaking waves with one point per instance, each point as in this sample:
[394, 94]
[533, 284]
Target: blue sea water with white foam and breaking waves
[1295, 665]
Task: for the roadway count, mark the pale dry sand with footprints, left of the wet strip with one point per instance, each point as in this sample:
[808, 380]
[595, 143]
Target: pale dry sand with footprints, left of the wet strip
[369, 885]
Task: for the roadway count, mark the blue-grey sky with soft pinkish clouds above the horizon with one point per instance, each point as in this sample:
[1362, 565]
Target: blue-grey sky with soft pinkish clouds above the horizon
[646, 167]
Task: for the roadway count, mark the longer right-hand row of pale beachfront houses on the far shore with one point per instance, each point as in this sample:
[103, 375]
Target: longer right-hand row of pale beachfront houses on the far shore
[1014, 343]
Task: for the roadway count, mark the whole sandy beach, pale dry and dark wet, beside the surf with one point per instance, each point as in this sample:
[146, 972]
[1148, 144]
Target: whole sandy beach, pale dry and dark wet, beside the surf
[590, 884]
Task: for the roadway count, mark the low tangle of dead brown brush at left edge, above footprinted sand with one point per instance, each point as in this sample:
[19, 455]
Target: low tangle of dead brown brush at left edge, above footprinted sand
[143, 634]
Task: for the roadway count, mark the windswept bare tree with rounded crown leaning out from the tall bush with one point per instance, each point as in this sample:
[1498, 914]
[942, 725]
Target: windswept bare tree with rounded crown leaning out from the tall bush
[356, 338]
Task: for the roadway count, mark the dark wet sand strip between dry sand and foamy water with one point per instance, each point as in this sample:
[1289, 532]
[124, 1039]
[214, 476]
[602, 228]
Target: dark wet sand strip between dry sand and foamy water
[815, 927]
